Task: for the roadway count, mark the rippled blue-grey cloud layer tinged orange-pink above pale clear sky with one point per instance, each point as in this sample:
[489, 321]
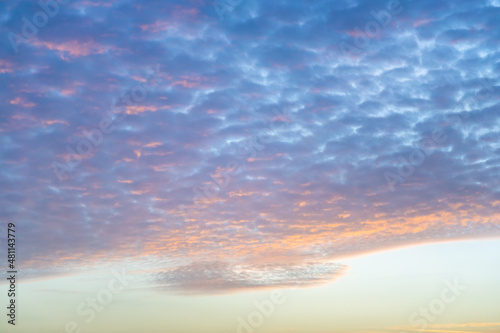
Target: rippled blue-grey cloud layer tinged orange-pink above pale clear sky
[393, 140]
